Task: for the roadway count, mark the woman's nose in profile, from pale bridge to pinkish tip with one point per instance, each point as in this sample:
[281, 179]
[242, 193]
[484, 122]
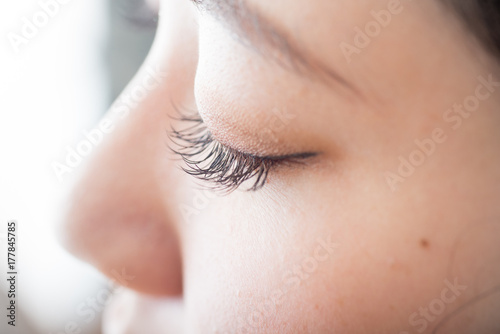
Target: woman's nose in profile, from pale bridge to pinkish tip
[123, 212]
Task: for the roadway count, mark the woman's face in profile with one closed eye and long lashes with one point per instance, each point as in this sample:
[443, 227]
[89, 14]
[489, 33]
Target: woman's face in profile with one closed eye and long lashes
[367, 133]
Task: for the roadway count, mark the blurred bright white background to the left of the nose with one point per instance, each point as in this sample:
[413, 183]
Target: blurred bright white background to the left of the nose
[56, 86]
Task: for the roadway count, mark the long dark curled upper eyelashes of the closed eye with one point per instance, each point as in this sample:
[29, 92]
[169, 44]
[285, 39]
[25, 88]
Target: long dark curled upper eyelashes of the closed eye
[226, 168]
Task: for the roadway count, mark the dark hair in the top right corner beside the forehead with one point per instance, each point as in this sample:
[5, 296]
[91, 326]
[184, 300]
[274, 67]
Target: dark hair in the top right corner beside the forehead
[482, 18]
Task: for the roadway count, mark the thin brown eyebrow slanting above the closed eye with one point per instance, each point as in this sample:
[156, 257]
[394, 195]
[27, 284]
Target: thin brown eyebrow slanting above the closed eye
[256, 31]
